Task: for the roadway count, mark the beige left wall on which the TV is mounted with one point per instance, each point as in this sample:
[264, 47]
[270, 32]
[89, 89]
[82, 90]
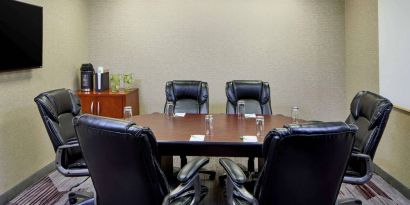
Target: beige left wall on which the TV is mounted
[24, 144]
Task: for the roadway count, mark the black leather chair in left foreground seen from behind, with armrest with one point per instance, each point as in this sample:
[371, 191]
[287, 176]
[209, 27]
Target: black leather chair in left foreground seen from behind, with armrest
[122, 159]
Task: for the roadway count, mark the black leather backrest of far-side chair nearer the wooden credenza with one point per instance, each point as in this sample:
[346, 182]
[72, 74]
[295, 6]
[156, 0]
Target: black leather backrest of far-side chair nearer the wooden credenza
[188, 96]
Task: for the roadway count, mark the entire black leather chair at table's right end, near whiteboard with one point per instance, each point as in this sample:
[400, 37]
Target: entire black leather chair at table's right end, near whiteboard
[370, 113]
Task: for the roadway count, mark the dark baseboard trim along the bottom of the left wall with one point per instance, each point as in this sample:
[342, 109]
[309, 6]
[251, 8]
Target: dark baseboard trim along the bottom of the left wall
[13, 192]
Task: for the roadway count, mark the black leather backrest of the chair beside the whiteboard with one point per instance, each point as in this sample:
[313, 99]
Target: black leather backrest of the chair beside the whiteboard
[370, 113]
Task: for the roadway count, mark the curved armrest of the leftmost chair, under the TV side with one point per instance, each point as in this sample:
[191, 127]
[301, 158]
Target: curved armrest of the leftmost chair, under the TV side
[64, 171]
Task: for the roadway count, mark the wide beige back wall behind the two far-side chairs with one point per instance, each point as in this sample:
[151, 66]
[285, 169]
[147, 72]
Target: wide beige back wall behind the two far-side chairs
[296, 45]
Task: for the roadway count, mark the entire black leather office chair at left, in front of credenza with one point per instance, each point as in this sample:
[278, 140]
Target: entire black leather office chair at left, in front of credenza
[57, 109]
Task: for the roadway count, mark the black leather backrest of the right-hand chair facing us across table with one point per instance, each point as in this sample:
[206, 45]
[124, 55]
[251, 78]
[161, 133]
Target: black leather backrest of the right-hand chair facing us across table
[255, 93]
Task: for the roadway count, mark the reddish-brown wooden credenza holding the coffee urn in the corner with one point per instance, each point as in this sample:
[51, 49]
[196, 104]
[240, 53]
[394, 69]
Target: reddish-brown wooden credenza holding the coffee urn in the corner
[109, 104]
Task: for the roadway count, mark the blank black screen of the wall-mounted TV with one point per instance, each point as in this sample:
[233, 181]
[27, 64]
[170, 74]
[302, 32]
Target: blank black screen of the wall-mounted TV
[21, 35]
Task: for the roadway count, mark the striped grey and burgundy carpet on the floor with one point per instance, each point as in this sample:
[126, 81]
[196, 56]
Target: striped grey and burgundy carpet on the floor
[54, 188]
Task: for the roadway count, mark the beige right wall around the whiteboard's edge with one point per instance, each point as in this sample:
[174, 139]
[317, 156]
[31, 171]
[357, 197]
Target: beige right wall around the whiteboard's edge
[362, 73]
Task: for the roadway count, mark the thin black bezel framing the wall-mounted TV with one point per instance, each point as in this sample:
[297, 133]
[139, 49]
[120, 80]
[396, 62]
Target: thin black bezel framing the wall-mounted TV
[42, 42]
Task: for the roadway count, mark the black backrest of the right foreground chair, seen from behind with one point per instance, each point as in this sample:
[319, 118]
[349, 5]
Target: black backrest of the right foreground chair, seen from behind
[305, 164]
